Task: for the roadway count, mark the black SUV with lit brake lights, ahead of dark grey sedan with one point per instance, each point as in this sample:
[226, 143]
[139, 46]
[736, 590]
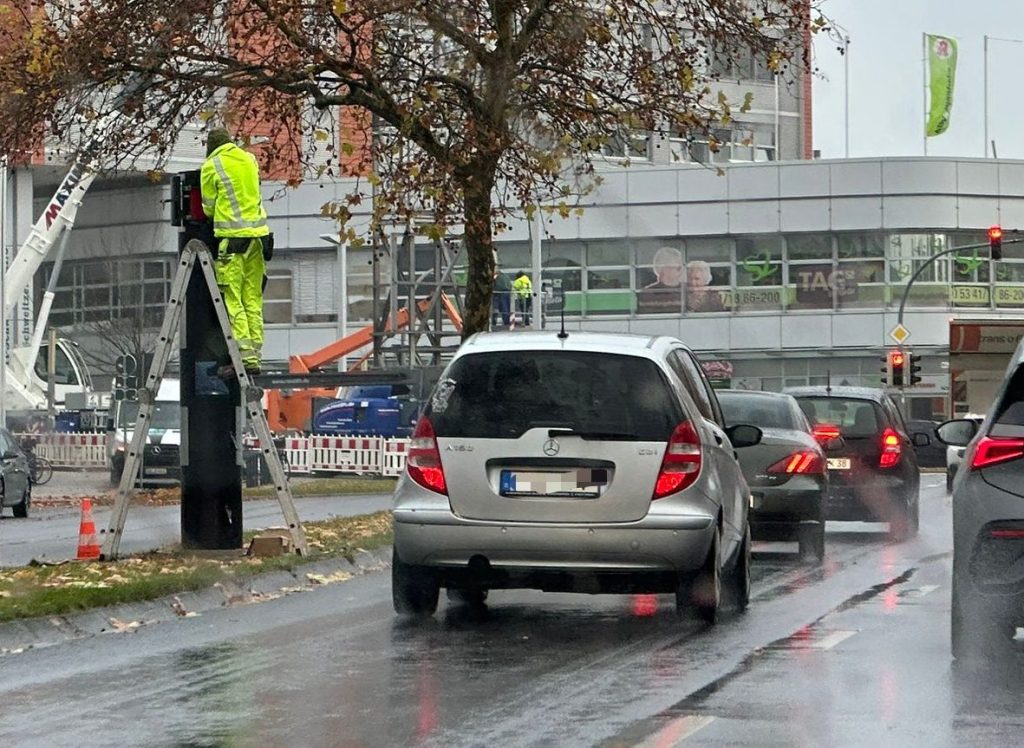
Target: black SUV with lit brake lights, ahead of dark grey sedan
[873, 469]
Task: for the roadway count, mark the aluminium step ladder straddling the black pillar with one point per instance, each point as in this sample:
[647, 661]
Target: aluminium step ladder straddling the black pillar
[196, 253]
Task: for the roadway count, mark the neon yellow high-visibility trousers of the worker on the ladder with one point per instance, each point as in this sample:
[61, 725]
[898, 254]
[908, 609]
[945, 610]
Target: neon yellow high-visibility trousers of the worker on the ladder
[241, 280]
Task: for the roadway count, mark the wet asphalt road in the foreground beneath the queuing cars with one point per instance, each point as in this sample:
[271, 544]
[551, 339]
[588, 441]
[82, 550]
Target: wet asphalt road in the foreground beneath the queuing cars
[854, 654]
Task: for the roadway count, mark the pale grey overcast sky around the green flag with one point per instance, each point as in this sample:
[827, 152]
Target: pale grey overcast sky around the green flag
[887, 80]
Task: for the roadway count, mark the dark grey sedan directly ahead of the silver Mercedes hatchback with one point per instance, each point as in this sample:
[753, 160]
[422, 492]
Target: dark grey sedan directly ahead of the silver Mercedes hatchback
[786, 472]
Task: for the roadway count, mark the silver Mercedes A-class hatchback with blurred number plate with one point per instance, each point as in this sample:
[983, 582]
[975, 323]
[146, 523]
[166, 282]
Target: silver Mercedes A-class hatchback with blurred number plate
[587, 463]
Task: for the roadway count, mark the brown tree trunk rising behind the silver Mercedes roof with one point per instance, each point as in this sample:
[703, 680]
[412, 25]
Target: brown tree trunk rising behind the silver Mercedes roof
[480, 248]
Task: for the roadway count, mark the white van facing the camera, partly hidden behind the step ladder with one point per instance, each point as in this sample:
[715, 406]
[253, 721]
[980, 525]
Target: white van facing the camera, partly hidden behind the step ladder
[161, 462]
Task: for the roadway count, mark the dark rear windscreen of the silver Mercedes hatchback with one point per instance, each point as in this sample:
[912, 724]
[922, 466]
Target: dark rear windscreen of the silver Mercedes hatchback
[502, 395]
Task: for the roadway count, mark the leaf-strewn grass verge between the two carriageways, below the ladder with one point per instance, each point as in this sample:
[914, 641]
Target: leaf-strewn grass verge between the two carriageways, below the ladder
[74, 587]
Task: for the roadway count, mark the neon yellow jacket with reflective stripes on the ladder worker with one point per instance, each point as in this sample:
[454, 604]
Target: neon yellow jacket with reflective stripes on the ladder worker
[230, 183]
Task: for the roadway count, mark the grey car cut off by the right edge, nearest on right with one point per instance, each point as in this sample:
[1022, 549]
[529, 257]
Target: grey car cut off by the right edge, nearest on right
[989, 524]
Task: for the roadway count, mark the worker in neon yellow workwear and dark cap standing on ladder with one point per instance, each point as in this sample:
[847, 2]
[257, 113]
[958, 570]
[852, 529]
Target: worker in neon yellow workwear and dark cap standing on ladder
[230, 183]
